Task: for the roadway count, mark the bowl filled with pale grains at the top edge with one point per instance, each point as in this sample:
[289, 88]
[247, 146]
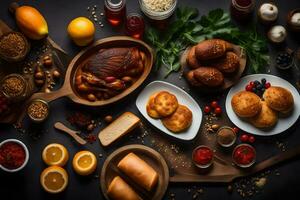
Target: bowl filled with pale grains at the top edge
[158, 9]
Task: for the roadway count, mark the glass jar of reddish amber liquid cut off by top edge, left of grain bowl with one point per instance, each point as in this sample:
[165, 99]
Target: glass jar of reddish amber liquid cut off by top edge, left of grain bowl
[115, 11]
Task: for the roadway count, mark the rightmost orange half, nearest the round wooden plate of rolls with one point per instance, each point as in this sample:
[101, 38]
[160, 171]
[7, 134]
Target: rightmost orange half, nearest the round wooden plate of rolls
[84, 163]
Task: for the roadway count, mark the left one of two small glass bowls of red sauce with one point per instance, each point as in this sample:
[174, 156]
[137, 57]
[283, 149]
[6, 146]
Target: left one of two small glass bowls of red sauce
[203, 156]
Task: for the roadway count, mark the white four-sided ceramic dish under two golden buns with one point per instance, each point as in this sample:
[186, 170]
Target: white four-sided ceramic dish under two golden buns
[183, 98]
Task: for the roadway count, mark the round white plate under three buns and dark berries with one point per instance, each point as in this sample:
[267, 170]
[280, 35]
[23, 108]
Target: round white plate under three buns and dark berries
[283, 123]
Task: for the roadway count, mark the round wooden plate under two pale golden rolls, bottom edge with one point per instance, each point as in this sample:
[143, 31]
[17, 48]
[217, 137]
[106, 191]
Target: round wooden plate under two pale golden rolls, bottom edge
[152, 157]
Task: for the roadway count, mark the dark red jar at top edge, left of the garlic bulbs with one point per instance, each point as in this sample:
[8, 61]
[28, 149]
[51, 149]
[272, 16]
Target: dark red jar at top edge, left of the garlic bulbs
[242, 10]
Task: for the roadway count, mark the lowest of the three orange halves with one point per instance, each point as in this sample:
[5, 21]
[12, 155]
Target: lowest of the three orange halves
[54, 179]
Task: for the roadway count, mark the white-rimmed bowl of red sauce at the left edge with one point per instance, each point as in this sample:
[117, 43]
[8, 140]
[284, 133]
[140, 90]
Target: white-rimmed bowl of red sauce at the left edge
[14, 155]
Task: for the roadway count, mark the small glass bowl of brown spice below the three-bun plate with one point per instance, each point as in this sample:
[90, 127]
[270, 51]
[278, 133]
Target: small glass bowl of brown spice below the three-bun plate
[226, 136]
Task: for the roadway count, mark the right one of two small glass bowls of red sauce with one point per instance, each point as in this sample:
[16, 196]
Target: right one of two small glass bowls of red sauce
[244, 155]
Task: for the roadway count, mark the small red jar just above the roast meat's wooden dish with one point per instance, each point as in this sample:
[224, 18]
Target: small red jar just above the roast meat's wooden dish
[135, 25]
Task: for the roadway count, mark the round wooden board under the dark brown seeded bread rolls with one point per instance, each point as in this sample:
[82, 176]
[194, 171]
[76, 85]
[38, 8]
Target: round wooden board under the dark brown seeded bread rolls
[228, 80]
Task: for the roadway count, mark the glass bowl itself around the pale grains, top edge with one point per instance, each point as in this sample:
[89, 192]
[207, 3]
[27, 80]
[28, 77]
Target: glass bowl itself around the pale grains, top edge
[154, 15]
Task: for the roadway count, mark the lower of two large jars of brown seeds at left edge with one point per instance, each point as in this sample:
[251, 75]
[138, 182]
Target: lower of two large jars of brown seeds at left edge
[15, 88]
